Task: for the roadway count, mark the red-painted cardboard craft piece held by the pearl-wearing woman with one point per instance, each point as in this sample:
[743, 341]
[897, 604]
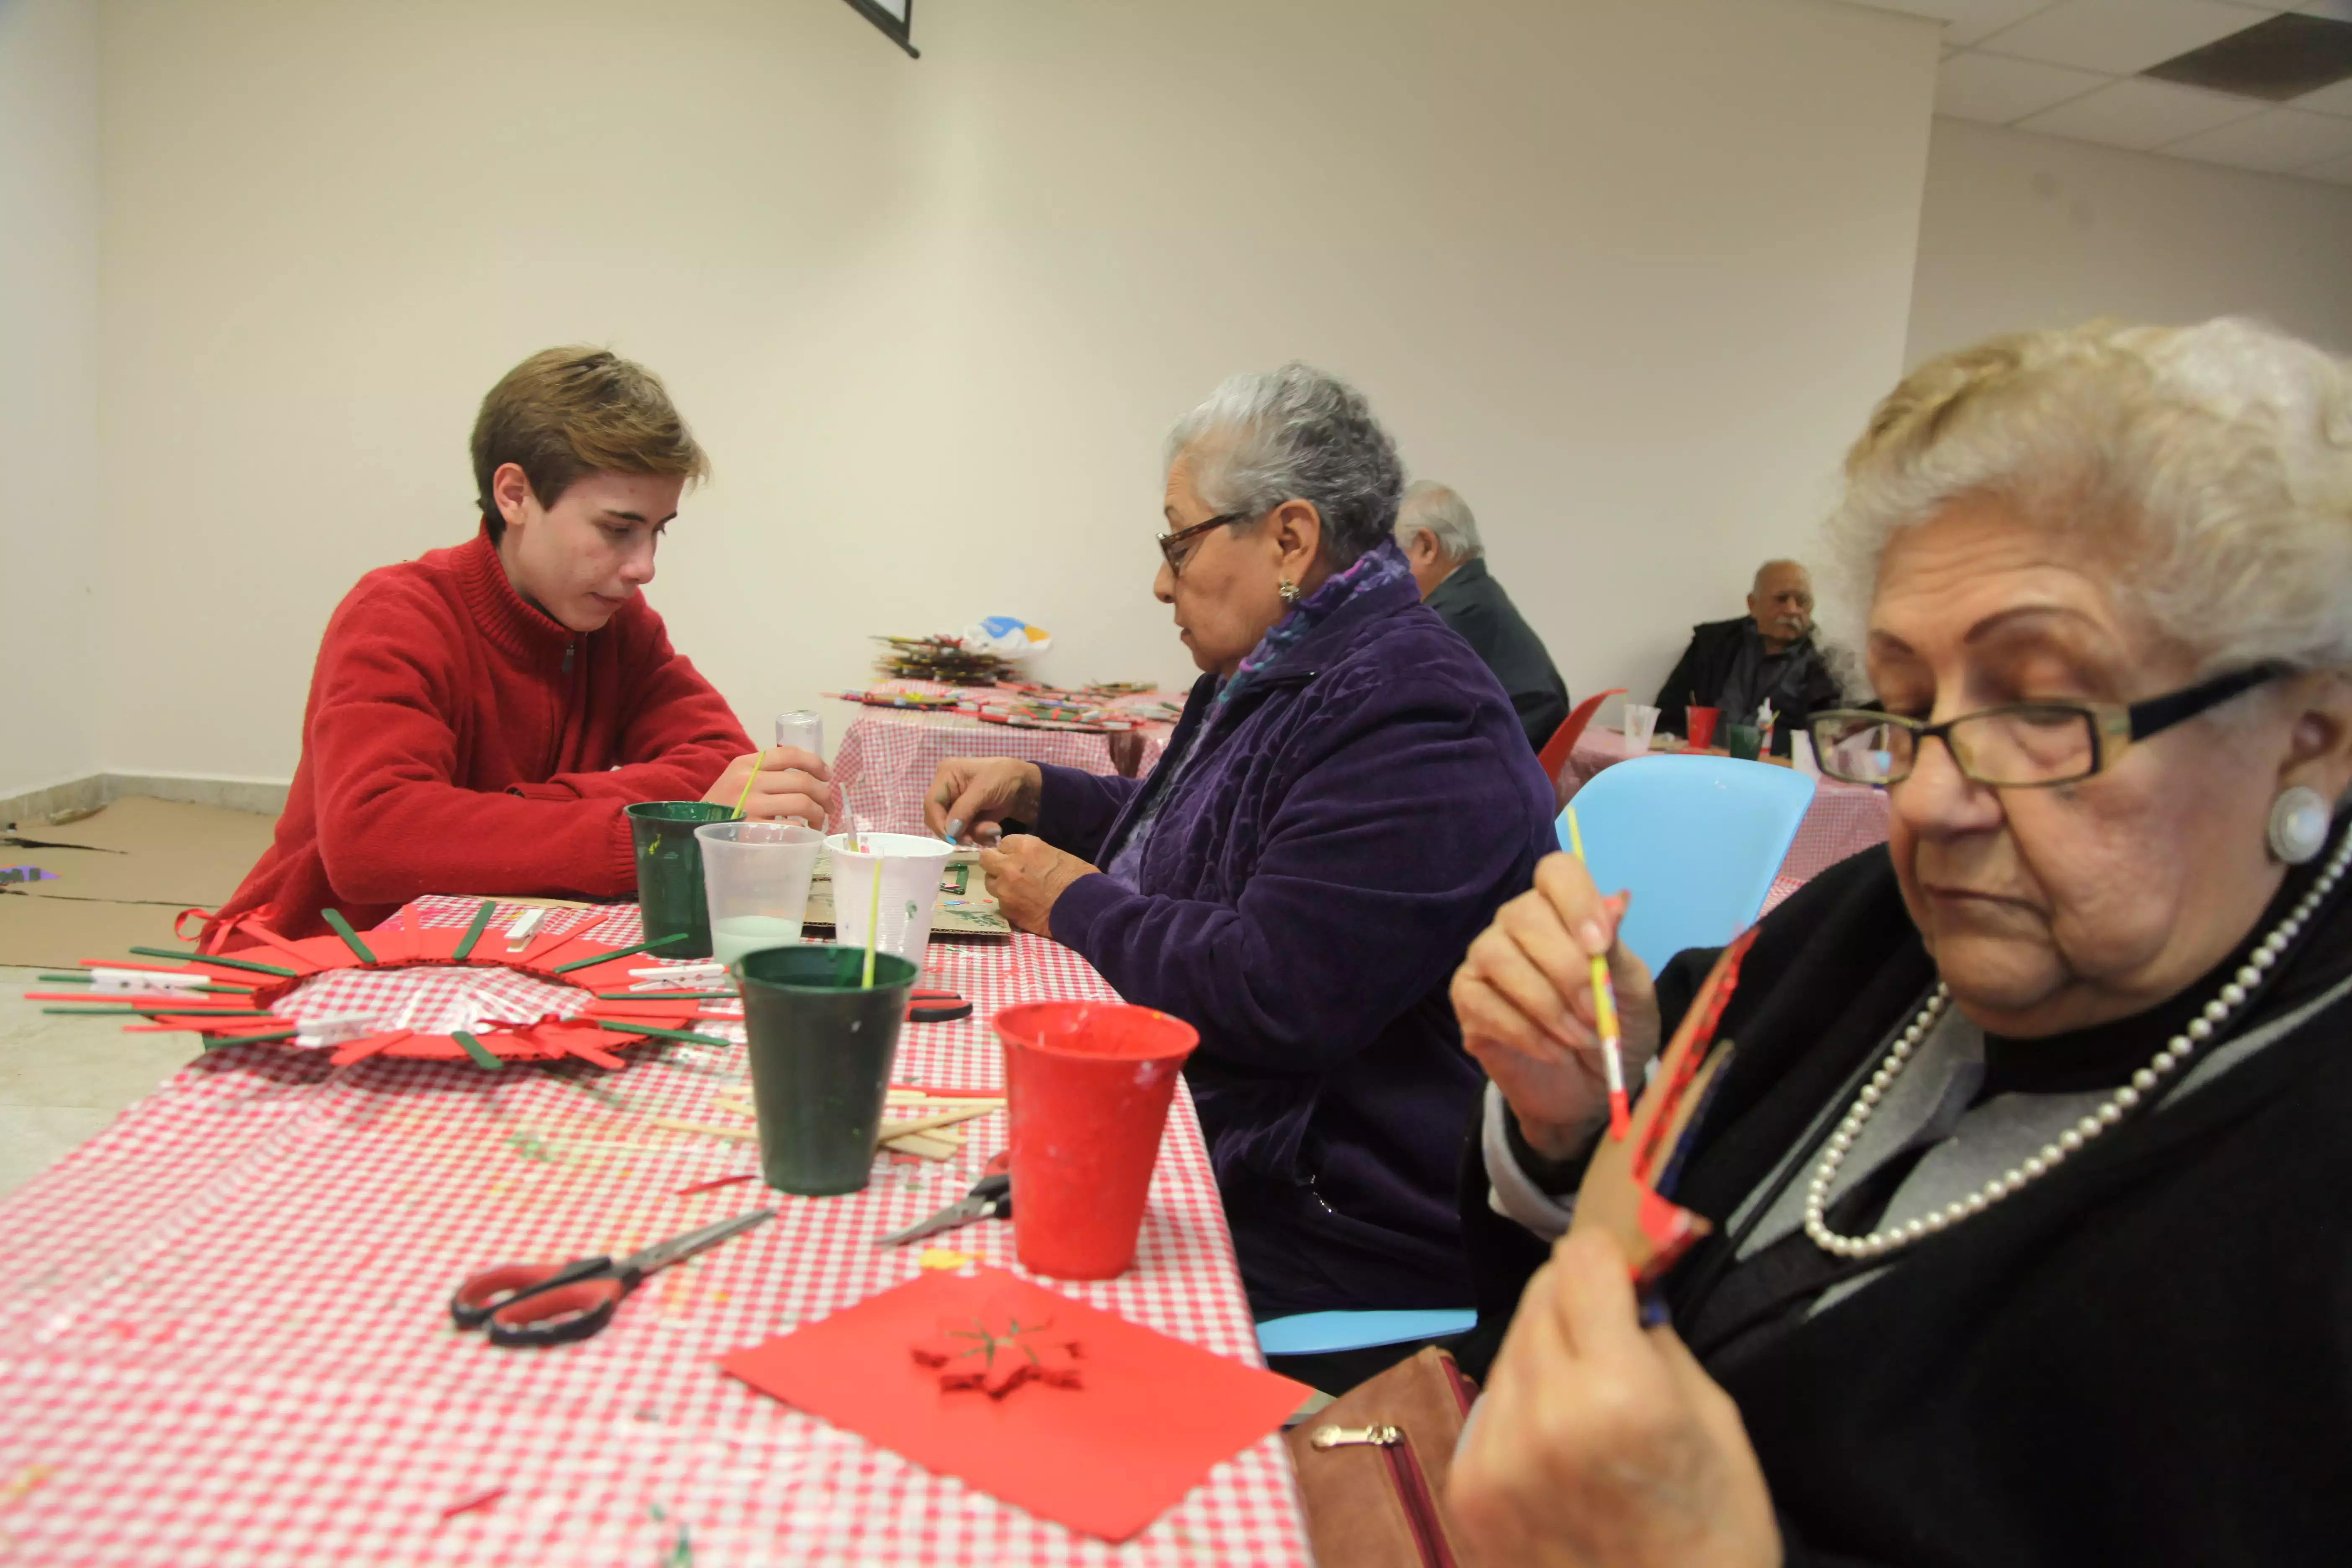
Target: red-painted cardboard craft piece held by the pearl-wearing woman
[1622, 1188]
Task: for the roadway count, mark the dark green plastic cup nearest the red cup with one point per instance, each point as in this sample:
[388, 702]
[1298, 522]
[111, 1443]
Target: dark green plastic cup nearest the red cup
[822, 1050]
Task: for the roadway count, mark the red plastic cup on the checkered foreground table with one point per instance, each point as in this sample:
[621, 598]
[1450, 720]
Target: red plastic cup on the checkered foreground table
[1088, 1087]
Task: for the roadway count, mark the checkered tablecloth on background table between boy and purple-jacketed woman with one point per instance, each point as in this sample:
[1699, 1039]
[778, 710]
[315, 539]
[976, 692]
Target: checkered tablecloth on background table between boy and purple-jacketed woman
[890, 756]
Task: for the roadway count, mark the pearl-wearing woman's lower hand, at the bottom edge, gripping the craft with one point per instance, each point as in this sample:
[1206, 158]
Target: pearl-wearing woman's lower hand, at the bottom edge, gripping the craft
[1601, 1442]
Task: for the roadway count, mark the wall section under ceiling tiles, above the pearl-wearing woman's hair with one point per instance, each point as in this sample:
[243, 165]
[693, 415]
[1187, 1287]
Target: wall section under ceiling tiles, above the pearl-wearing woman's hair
[2033, 232]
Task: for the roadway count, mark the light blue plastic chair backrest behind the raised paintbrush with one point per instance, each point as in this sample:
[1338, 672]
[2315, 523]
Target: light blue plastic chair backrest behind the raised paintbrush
[1697, 840]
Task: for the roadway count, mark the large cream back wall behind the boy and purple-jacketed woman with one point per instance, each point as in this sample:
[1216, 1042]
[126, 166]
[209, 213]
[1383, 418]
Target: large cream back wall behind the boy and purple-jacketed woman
[1624, 272]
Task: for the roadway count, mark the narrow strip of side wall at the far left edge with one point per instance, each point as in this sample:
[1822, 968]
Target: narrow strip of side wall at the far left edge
[48, 389]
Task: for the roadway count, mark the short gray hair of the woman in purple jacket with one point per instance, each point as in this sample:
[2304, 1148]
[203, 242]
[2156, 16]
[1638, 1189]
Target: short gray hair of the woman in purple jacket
[1295, 436]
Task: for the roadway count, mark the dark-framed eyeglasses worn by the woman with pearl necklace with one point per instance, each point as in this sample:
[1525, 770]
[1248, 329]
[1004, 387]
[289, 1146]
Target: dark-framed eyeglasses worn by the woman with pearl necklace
[2017, 746]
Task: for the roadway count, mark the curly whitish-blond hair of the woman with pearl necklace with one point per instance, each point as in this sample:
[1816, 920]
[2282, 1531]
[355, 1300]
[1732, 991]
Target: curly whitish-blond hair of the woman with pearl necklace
[2212, 467]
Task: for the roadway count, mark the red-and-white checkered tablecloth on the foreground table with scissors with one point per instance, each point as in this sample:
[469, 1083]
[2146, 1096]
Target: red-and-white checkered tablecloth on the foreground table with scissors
[225, 1332]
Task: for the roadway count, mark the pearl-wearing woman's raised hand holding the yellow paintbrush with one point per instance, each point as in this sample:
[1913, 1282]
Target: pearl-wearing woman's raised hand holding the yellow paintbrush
[1525, 1003]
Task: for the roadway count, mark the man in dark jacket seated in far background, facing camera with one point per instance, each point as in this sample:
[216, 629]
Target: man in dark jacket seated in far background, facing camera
[1768, 655]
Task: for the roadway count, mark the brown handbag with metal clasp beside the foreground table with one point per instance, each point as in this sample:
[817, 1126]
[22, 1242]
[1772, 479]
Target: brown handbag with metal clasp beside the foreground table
[1372, 1468]
